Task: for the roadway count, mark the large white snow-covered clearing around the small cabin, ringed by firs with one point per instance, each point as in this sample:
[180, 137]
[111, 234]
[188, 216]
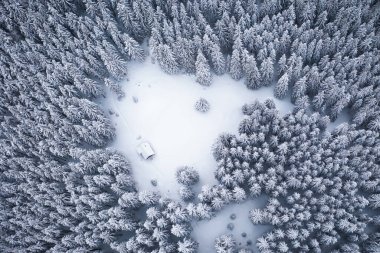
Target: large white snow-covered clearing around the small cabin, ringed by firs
[165, 116]
